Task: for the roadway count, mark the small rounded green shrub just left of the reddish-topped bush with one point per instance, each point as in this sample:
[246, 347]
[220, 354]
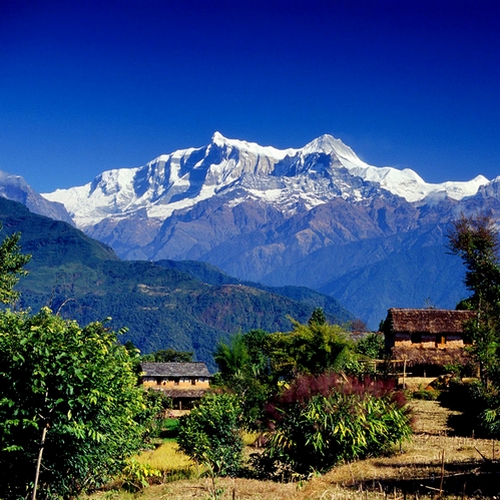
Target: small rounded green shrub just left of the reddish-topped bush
[211, 434]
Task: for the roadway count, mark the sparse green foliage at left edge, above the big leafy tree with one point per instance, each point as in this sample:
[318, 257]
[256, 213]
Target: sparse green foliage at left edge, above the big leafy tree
[12, 263]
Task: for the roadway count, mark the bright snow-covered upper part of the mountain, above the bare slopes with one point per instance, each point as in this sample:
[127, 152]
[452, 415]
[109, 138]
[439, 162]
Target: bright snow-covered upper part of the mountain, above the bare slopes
[322, 170]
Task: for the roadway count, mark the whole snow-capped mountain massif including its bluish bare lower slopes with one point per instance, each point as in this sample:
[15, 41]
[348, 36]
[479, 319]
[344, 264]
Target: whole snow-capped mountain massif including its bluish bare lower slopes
[371, 237]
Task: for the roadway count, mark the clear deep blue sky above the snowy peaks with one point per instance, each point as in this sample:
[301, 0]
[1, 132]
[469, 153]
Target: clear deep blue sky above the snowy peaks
[87, 85]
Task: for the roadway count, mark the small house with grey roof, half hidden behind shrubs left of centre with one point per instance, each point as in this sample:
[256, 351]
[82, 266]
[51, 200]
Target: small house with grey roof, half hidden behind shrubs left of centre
[183, 382]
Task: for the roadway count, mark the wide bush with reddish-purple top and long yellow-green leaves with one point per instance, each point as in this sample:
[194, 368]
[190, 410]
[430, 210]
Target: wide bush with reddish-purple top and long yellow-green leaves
[321, 421]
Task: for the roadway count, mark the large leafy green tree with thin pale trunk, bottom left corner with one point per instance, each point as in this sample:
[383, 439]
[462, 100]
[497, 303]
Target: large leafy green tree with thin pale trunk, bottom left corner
[69, 406]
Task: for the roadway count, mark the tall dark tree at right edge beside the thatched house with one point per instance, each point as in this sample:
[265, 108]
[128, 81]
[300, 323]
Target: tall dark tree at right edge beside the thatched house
[475, 240]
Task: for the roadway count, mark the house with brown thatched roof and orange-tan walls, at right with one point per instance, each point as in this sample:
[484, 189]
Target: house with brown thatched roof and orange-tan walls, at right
[426, 339]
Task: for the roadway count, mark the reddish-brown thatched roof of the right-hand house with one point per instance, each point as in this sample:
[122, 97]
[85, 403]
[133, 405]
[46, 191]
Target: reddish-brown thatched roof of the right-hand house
[433, 321]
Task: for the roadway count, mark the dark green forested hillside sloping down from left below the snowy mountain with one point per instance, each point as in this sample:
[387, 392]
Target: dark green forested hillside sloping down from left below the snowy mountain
[187, 306]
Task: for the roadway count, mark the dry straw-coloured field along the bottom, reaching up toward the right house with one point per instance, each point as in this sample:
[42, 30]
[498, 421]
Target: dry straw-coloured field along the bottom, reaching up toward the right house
[435, 464]
